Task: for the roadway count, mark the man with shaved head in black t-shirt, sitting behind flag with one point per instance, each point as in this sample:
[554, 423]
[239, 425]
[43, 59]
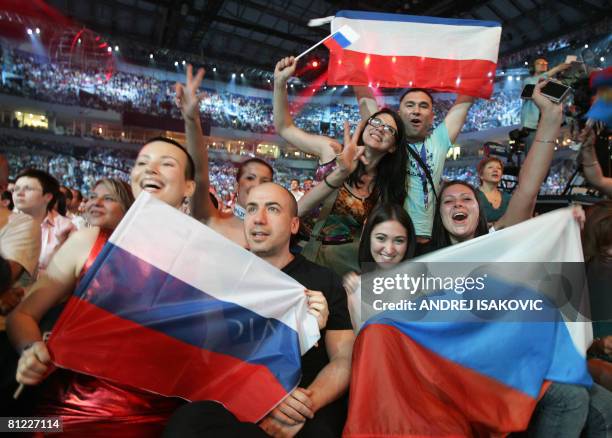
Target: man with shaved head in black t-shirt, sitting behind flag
[317, 408]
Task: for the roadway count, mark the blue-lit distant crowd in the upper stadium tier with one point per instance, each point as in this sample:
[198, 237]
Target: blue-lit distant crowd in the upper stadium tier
[24, 75]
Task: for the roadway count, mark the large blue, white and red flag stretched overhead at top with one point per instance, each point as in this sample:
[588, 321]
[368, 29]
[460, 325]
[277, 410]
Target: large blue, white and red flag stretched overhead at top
[399, 51]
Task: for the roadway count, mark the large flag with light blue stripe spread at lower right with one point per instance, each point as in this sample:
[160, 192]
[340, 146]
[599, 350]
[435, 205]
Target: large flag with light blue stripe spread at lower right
[463, 375]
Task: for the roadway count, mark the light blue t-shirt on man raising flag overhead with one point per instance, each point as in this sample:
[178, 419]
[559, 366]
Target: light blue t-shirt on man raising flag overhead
[420, 202]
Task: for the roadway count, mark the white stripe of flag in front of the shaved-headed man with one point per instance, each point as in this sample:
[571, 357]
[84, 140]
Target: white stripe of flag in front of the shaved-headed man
[190, 251]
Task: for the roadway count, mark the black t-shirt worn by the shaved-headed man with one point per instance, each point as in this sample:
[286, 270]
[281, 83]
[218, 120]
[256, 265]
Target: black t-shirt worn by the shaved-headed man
[319, 278]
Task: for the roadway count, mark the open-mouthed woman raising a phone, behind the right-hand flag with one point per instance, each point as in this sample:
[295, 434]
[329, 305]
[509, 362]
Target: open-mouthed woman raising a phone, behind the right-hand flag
[460, 217]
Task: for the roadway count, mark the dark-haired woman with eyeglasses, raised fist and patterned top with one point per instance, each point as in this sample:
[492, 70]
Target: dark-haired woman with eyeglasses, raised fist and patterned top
[370, 168]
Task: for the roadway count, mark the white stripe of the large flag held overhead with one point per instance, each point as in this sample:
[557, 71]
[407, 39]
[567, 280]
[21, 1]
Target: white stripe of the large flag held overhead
[441, 41]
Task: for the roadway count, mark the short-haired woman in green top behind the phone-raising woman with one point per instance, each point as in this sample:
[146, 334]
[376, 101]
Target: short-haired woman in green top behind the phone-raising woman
[493, 200]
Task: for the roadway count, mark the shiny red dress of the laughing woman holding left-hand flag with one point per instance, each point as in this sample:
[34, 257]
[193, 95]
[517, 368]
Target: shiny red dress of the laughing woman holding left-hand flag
[93, 407]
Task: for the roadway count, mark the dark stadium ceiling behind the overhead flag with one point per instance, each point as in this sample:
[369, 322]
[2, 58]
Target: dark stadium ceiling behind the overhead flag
[256, 33]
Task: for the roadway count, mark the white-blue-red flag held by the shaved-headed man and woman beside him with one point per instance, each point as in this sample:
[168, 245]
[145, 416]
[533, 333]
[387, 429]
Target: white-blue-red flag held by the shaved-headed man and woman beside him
[172, 307]
